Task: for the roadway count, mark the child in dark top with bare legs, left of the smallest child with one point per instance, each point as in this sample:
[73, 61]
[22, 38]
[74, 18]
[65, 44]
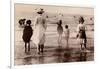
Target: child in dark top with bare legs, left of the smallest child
[60, 32]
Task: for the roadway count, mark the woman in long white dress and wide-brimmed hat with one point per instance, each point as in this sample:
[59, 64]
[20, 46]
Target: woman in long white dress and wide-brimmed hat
[39, 31]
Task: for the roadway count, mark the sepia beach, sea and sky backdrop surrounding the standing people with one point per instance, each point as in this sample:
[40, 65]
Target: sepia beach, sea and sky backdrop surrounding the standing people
[52, 52]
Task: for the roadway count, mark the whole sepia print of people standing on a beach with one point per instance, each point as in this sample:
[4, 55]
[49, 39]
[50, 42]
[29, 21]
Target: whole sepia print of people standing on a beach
[45, 34]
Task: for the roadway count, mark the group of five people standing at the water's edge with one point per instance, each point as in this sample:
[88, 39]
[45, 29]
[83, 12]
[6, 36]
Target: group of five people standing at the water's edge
[37, 33]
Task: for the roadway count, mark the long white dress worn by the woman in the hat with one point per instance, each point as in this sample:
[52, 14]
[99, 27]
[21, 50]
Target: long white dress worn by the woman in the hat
[39, 30]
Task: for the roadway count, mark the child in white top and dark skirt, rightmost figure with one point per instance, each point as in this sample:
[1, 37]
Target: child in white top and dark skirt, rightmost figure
[81, 34]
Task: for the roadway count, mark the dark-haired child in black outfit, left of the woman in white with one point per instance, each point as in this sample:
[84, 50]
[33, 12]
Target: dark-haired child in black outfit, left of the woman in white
[27, 34]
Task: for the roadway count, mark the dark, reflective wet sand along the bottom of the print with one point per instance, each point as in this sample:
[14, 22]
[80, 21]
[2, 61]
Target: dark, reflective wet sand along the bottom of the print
[53, 55]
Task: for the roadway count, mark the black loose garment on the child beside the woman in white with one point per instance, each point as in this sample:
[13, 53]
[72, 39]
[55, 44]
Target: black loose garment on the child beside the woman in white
[27, 33]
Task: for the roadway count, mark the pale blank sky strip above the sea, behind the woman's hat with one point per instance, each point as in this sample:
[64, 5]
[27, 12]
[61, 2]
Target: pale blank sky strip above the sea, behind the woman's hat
[26, 8]
